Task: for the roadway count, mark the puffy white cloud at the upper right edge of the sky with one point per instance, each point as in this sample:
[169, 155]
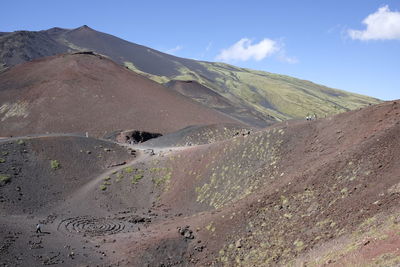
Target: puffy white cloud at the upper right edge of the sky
[381, 25]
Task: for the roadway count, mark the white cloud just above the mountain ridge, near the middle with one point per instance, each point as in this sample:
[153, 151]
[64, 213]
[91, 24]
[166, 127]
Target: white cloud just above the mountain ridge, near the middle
[244, 50]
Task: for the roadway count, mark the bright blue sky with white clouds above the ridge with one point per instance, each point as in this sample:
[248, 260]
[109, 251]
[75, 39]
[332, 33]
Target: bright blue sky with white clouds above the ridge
[322, 41]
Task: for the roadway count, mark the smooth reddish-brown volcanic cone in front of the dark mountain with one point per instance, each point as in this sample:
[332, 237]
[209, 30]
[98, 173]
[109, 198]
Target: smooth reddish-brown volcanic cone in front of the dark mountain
[89, 93]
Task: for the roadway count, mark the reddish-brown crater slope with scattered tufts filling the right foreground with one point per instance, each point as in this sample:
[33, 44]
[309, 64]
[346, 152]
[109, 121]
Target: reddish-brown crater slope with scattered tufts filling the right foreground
[301, 193]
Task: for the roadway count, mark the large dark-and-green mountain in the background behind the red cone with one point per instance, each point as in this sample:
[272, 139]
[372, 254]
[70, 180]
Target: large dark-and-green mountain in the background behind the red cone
[259, 98]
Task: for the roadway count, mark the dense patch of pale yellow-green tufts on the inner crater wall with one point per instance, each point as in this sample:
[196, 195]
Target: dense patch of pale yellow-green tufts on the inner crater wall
[248, 163]
